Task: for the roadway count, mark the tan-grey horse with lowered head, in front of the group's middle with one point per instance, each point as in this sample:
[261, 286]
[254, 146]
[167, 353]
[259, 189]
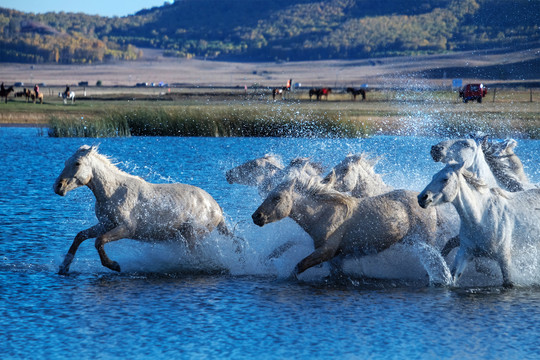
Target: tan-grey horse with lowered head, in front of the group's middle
[342, 224]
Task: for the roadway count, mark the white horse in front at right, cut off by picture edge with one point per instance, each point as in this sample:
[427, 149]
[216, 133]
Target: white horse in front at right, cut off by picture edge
[491, 219]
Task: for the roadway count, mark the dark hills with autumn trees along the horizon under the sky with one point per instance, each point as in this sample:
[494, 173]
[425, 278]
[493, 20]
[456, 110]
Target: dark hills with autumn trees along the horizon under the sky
[290, 30]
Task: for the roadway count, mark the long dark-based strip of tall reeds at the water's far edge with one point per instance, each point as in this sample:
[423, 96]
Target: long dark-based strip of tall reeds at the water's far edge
[218, 121]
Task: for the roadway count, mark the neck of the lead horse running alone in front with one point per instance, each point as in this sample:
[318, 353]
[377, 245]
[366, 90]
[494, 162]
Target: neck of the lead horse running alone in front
[106, 179]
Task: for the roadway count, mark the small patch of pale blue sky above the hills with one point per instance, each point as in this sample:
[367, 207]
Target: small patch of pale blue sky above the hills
[91, 7]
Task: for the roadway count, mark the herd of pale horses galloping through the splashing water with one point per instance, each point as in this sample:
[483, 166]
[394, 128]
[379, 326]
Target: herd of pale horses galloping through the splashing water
[481, 202]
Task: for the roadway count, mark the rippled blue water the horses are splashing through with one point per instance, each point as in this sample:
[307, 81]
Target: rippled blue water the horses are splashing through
[168, 303]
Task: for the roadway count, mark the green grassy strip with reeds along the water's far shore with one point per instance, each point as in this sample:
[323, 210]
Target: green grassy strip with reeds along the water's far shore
[236, 112]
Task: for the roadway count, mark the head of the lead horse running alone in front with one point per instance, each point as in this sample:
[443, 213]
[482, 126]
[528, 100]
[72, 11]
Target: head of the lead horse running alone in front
[77, 171]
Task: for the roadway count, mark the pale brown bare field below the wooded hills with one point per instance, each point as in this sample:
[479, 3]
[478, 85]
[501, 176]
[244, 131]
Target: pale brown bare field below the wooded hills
[434, 70]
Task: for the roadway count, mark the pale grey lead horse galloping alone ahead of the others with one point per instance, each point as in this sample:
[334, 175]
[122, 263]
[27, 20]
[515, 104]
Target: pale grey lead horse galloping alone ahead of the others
[129, 207]
